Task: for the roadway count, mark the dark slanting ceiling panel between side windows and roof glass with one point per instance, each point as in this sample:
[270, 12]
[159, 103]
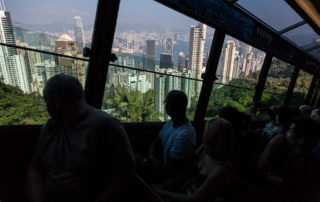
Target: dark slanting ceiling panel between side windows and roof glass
[238, 23]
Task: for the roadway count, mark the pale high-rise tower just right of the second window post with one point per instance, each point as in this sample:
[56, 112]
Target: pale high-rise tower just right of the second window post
[227, 62]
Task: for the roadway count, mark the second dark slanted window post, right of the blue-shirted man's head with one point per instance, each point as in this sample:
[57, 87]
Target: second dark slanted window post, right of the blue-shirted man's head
[209, 76]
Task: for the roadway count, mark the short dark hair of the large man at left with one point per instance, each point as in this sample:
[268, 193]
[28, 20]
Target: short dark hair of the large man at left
[65, 87]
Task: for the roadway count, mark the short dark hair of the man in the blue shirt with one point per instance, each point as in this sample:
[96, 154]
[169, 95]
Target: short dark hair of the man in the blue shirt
[177, 100]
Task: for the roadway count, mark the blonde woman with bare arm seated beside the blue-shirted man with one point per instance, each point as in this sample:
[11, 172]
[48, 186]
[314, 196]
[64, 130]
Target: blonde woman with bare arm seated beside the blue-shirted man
[214, 170]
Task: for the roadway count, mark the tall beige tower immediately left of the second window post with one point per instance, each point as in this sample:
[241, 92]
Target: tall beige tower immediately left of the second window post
[196, 48]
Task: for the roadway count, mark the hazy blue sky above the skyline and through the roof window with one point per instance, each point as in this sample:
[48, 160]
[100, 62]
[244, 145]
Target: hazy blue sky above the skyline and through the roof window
[275, 12]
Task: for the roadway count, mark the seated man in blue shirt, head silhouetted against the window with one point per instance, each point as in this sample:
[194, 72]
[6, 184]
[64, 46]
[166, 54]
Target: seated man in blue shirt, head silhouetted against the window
[177, 138]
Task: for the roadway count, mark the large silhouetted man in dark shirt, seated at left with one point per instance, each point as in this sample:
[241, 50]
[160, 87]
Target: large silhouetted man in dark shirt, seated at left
[82, 154]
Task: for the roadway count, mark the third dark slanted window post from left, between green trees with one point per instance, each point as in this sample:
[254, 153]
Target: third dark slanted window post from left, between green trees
[262, 78]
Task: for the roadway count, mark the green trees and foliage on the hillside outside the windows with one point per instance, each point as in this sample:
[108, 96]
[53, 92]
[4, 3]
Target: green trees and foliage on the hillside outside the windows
[17, 107]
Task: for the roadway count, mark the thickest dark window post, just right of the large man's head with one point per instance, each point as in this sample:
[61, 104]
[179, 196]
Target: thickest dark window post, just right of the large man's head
[103, 33]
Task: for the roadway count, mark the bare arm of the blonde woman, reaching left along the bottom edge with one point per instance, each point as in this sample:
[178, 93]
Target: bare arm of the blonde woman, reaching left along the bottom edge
[217, 177]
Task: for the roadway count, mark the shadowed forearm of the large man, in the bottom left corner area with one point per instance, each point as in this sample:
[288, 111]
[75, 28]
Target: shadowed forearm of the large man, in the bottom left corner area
[35, 185]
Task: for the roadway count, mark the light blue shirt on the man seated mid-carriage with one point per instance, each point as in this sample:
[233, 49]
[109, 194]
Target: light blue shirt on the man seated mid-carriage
[178, 143]
